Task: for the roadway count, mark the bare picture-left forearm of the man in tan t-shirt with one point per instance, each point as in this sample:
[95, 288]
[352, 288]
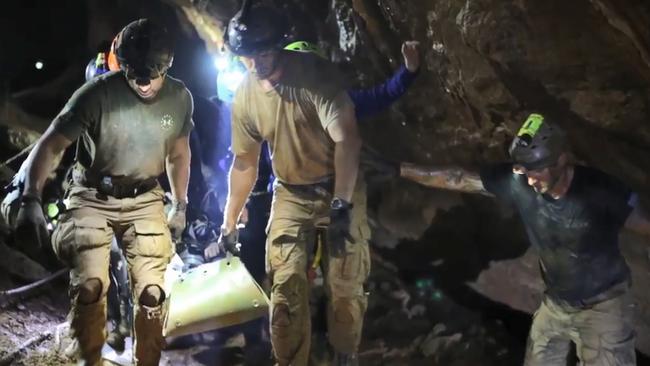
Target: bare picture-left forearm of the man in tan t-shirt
[242, 177]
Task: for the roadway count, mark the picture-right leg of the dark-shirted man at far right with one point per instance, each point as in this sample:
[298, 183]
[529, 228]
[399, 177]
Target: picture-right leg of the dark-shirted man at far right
[606, 333]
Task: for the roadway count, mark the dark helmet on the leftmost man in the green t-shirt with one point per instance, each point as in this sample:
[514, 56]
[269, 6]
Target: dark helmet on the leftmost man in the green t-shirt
[144, 50]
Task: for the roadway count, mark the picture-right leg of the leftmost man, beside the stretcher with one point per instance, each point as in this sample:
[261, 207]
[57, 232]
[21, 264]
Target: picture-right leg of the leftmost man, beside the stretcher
[148, 251]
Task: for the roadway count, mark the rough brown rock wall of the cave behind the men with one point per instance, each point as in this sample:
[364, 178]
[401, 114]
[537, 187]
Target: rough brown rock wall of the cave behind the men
[486, 64]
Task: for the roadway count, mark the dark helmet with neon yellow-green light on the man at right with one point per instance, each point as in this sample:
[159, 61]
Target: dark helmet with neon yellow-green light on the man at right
[538, 144]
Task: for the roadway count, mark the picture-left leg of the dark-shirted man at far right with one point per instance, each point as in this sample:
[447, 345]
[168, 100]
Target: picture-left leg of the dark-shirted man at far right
[548, 340]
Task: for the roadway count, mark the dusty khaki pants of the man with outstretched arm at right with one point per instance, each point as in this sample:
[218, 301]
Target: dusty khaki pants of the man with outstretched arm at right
[603, 334]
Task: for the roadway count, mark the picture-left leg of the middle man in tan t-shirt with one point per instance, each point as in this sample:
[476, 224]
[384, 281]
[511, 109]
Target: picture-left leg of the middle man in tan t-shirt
[287, 266]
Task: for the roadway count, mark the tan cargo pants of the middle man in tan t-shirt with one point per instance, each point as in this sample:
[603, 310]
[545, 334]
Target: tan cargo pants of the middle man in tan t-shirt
[295, 219]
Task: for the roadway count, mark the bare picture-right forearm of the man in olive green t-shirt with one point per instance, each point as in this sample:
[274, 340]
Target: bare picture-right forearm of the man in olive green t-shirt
[178, 168]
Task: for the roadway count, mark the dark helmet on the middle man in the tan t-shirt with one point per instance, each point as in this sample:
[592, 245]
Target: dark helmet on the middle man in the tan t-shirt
[254, 30]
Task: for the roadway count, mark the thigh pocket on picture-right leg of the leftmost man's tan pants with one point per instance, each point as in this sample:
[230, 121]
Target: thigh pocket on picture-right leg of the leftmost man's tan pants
[152, 239]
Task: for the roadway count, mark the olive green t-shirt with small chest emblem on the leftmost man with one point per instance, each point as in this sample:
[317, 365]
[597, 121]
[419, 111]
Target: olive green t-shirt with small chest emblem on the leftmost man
[119, 133]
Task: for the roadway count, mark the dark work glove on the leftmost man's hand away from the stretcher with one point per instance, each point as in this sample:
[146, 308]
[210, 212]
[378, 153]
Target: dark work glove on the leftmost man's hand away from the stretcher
[31, 227]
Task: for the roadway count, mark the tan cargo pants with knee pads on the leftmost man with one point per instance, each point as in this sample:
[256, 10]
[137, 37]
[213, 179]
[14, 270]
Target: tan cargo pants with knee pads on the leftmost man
[83, 242]
